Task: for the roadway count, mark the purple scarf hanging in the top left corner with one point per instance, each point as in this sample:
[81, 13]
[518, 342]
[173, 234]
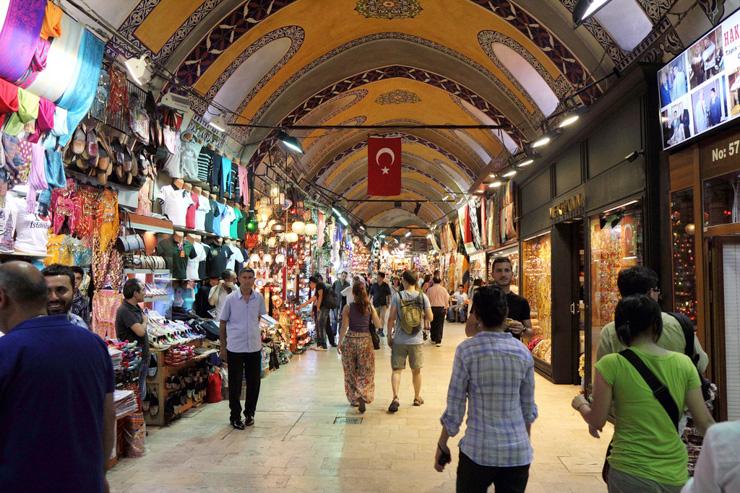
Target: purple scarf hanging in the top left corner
[20, 36]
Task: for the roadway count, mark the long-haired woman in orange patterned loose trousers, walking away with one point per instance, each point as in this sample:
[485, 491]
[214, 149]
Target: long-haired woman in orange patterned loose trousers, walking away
[356, 346]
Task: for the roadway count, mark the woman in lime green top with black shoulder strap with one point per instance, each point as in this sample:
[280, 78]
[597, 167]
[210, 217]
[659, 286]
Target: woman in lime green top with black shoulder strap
[647, 386]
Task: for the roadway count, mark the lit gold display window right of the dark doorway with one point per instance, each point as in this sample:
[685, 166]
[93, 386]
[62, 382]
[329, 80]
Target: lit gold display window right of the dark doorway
[616, 244]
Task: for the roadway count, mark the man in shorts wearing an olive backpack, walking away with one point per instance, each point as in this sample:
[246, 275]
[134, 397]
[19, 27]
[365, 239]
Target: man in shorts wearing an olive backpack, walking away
[410, 313]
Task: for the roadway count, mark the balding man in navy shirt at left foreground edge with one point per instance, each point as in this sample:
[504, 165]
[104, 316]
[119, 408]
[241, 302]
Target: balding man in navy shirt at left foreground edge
[56, 393]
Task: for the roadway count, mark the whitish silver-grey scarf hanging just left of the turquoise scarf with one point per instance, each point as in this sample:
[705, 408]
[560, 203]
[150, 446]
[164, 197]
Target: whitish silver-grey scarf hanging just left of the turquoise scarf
[59, 74]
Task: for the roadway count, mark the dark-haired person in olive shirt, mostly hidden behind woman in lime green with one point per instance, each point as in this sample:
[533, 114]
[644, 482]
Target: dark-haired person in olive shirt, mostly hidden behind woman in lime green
[642, 280]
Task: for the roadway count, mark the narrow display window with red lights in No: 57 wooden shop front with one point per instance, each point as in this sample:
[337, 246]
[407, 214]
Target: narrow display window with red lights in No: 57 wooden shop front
[684, 263]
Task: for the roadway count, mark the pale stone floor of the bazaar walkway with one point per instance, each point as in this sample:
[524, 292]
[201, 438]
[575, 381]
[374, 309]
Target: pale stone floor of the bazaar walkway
[296, 446]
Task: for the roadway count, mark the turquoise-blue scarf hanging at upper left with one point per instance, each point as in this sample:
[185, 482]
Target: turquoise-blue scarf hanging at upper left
[79, 98]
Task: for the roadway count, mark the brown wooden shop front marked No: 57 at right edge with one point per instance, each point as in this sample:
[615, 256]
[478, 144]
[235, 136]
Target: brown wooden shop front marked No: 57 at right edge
[705, 222]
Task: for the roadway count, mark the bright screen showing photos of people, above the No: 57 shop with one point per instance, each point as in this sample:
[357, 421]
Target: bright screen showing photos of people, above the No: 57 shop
[700, 88]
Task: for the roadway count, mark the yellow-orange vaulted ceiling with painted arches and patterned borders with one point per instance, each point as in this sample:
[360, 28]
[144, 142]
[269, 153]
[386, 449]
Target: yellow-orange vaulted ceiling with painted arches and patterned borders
[380, 62]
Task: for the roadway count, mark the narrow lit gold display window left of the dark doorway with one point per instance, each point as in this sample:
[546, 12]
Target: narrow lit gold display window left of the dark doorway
[536, 288]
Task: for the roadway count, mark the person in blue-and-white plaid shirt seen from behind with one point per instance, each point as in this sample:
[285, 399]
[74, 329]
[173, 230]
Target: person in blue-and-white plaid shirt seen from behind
[494, 374]
